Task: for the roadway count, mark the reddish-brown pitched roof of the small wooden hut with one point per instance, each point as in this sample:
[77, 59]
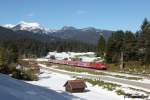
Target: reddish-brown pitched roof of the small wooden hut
[76, 84]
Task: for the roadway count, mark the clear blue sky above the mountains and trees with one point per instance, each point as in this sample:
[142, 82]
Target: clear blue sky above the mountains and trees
[54, 14]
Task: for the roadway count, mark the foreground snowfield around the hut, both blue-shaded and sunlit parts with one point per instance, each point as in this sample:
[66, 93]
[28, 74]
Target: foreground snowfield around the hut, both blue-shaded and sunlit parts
[50, 87]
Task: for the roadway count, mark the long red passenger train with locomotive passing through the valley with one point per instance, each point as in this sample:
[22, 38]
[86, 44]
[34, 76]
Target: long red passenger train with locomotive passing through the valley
[79, 63]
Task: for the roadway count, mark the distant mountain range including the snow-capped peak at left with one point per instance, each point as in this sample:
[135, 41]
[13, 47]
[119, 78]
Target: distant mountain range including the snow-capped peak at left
[88, 35]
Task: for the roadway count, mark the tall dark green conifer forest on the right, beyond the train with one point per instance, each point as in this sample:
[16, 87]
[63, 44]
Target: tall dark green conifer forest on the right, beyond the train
[130, 49]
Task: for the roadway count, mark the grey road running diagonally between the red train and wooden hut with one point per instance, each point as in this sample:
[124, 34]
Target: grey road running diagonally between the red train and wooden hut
[139, 85]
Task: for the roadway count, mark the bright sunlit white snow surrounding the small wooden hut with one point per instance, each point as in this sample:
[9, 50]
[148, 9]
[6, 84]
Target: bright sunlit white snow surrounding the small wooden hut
[56, 81]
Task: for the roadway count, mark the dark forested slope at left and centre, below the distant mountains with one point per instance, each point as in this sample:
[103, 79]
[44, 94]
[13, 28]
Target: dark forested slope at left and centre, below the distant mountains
[30, 43]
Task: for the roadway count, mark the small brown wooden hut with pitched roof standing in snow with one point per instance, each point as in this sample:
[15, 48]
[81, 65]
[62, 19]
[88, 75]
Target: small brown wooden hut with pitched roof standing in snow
[75, 86]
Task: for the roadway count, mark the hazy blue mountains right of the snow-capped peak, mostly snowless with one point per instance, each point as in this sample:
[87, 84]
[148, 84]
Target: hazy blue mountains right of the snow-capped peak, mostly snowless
[86, 35]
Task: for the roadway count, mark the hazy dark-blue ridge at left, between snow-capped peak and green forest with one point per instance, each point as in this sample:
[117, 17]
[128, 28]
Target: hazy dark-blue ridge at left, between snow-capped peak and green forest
[9, 34]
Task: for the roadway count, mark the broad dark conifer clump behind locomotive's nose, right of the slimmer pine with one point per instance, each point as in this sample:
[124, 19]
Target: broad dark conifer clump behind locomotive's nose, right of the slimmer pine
[115, 46]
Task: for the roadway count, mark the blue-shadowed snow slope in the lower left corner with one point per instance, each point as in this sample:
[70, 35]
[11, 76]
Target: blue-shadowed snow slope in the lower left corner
[12, 89]
